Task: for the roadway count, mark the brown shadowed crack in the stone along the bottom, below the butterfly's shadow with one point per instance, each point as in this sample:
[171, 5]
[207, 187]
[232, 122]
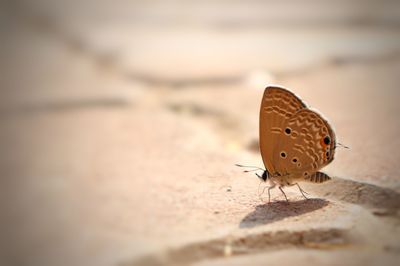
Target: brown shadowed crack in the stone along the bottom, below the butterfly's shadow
[329, 238]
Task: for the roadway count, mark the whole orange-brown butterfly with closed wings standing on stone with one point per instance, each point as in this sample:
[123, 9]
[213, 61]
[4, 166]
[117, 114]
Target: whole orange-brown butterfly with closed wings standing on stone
[295, 141]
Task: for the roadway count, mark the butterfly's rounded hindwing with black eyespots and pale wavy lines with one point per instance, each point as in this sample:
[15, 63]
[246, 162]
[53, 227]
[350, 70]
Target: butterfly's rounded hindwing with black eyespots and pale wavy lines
[308, 142]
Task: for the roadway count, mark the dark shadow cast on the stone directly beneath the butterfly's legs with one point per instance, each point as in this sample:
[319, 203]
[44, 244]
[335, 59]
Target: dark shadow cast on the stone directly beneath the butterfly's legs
[278, 210]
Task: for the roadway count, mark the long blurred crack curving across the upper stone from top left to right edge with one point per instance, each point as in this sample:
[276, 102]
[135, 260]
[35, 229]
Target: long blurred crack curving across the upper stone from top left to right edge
[47, 26]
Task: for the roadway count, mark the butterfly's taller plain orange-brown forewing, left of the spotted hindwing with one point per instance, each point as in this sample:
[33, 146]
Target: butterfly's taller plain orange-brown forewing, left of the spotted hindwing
[277, 107]
